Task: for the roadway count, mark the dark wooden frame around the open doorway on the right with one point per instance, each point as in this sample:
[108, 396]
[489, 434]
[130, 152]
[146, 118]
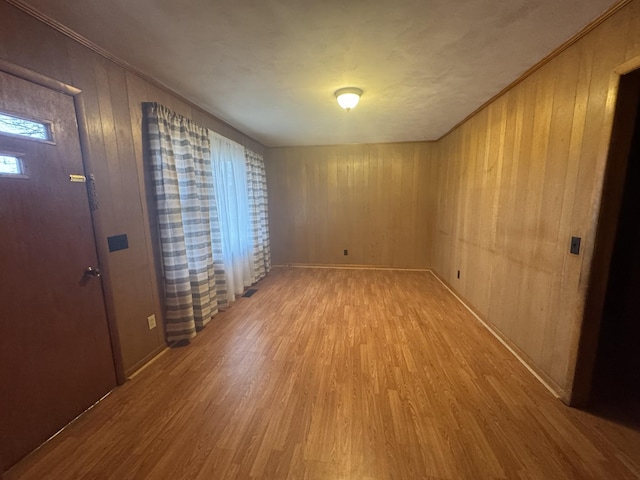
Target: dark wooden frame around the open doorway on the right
[617, 146]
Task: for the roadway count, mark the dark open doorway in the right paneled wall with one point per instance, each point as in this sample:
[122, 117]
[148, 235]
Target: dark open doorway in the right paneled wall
[615, 384]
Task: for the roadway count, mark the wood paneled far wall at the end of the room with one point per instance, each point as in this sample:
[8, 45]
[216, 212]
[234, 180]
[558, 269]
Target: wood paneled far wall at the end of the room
[371, 200]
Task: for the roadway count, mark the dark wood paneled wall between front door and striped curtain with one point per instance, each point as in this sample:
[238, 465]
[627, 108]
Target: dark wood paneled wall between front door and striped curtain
[111, 99]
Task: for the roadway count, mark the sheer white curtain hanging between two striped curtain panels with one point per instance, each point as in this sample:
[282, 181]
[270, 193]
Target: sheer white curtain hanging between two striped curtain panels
[230, 183]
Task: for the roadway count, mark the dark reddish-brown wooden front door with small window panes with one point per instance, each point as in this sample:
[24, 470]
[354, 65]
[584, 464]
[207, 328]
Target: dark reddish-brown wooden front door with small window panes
[55, 352]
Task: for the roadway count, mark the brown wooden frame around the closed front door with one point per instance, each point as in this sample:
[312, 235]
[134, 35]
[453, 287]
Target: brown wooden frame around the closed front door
[81, 117]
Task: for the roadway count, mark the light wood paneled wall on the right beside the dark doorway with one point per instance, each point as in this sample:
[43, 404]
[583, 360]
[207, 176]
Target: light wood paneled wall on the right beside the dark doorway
[516, 181]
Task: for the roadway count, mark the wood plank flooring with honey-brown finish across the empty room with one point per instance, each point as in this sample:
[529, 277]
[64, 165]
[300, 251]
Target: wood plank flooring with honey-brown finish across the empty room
[338, 374]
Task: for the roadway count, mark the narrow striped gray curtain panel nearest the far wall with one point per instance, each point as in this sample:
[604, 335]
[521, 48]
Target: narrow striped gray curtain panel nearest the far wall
[257, 190]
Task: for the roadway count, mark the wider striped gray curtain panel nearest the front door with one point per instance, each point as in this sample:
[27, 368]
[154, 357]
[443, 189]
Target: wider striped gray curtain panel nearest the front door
[188, 221]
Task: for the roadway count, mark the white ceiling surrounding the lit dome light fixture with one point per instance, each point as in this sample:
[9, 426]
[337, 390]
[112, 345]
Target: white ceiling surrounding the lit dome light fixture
[270, 67]
